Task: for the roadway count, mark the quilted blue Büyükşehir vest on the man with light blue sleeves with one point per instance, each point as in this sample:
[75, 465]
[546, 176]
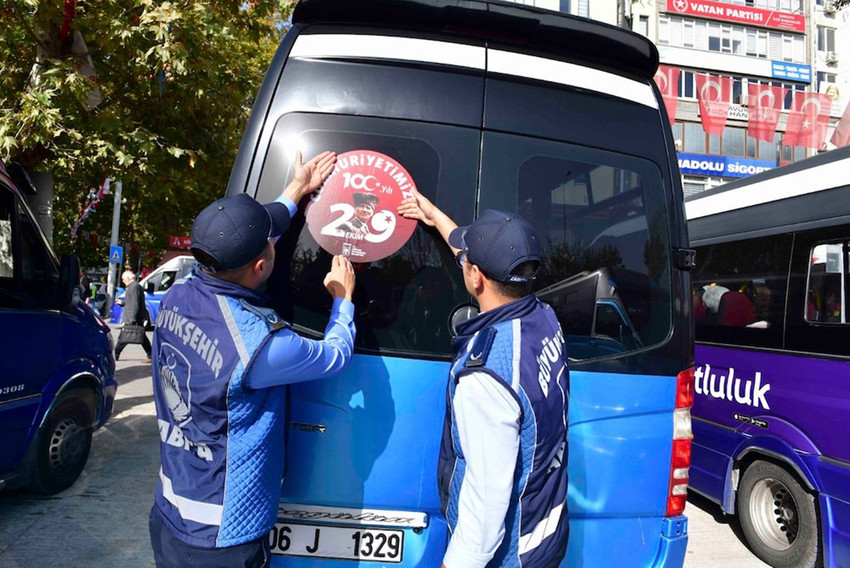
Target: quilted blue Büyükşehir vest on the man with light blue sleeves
[221, 442]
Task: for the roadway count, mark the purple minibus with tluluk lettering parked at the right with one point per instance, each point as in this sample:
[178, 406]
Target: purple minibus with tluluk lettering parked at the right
[771, 408]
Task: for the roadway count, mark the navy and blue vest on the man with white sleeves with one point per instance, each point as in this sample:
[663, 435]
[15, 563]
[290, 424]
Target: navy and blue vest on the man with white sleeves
[521, 346]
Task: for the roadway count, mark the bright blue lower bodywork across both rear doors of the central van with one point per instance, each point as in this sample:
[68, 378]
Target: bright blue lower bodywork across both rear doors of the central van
[370, 437]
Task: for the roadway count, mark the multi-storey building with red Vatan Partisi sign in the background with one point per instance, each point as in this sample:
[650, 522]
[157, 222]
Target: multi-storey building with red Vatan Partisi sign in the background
[733, 48]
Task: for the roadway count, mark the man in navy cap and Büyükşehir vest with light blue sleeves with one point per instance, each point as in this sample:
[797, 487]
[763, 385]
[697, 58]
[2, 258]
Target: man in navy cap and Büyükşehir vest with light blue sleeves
[222, 360]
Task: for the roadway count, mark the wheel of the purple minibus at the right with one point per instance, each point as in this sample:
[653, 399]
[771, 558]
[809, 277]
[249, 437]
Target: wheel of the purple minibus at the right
[778, 517]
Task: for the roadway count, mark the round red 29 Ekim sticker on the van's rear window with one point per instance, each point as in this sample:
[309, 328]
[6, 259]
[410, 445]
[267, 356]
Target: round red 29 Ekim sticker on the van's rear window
[354, 214]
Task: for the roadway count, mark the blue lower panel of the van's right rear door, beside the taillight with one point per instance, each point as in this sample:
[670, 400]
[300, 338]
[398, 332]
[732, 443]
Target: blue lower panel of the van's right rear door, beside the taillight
[616, 516]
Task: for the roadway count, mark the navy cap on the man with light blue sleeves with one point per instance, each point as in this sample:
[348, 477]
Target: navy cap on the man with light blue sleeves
[234, 230]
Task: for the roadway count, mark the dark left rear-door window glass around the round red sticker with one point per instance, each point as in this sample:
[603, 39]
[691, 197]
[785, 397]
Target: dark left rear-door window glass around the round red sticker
[404, 301]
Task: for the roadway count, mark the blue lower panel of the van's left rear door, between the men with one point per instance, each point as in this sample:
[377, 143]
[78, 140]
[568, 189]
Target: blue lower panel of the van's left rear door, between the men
[369, 438]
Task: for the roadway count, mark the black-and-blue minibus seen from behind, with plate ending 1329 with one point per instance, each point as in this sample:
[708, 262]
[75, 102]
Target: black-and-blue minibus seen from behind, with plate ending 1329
[478, 105]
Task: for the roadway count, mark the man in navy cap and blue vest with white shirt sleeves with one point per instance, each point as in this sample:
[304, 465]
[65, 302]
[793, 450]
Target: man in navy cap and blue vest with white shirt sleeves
[503, 460]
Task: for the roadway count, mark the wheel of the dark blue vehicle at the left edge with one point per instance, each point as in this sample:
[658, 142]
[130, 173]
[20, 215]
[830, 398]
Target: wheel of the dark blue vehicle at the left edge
[62, 445]
